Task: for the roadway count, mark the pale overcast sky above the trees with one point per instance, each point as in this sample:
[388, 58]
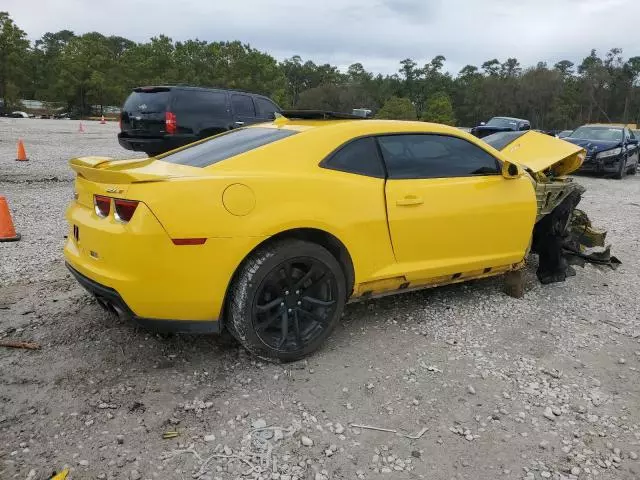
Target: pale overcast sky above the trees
[376, 33]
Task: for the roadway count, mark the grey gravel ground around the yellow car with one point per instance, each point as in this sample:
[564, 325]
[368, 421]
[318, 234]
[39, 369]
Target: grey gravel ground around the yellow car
[494, 387]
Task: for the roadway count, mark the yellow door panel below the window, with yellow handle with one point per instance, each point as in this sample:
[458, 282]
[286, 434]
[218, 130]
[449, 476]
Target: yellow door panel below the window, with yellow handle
[444, 226]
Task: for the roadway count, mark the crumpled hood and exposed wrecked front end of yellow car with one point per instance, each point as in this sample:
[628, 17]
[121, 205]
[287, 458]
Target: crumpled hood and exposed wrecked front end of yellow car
[563, 235]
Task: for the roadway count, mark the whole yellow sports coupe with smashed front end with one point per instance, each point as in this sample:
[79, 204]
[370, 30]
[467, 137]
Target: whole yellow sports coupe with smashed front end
[269, 230]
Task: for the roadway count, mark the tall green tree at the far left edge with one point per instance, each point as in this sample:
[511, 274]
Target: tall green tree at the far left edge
[13, 54]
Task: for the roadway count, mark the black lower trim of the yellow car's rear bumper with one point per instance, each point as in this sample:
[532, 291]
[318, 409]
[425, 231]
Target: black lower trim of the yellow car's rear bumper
[110, 300]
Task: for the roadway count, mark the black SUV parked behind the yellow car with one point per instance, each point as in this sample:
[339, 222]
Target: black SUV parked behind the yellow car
[155, 120]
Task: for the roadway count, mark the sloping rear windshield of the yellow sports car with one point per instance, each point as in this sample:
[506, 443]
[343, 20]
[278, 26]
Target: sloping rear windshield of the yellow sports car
[226, 145]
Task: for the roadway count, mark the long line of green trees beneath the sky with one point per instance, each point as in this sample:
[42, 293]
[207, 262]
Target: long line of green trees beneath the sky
[94, 69]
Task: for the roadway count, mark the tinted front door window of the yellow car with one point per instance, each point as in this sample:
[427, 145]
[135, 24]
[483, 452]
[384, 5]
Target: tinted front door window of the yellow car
[434, 156]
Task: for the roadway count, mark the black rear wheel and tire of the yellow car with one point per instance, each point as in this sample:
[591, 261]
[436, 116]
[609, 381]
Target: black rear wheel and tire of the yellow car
[286, 299]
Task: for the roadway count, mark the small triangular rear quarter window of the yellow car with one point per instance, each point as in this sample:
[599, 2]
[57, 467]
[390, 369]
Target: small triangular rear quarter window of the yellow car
[359, 156]
